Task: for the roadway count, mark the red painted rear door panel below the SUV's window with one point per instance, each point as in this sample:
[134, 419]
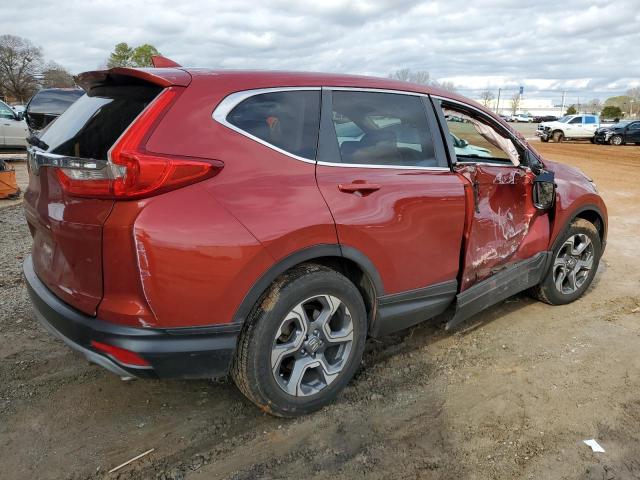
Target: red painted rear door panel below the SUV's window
[414, 221]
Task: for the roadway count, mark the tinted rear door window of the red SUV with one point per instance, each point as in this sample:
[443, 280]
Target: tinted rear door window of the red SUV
[382, 129]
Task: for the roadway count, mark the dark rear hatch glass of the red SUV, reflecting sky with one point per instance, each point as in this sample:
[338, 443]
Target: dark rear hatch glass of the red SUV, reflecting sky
[90, 127]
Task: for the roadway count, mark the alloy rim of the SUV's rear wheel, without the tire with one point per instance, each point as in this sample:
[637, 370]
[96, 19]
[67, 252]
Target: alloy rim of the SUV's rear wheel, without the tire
[312, 345]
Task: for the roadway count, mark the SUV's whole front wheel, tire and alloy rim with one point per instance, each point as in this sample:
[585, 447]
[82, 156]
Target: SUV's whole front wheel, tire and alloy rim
[575, 261]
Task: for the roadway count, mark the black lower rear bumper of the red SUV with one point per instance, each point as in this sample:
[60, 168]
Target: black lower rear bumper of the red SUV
[172, 353]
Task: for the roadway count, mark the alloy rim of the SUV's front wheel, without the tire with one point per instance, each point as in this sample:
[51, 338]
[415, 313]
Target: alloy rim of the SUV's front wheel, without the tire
[573, 263]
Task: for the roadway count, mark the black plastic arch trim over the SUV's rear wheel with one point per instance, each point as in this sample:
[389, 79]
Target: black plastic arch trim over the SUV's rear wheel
[348, 261]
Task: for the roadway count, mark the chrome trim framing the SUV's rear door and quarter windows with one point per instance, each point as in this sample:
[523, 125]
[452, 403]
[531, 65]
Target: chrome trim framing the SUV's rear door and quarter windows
[228, 103]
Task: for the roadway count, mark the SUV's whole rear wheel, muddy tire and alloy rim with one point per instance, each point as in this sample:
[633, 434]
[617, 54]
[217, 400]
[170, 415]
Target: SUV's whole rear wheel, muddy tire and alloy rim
[302, 342]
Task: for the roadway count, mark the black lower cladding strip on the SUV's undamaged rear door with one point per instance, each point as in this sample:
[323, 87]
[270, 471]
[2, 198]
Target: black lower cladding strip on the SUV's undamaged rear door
[402, 310]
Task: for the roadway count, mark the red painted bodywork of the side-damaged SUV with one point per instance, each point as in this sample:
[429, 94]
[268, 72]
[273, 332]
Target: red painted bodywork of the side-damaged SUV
[189, 256]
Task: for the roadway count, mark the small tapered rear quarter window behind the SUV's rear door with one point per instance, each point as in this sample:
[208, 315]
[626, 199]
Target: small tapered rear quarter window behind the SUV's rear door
[287, 120]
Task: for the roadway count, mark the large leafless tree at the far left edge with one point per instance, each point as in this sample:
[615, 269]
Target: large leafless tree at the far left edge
[19, 62]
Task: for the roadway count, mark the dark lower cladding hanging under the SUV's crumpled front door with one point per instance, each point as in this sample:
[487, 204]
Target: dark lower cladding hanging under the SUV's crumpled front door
[500, 286]
